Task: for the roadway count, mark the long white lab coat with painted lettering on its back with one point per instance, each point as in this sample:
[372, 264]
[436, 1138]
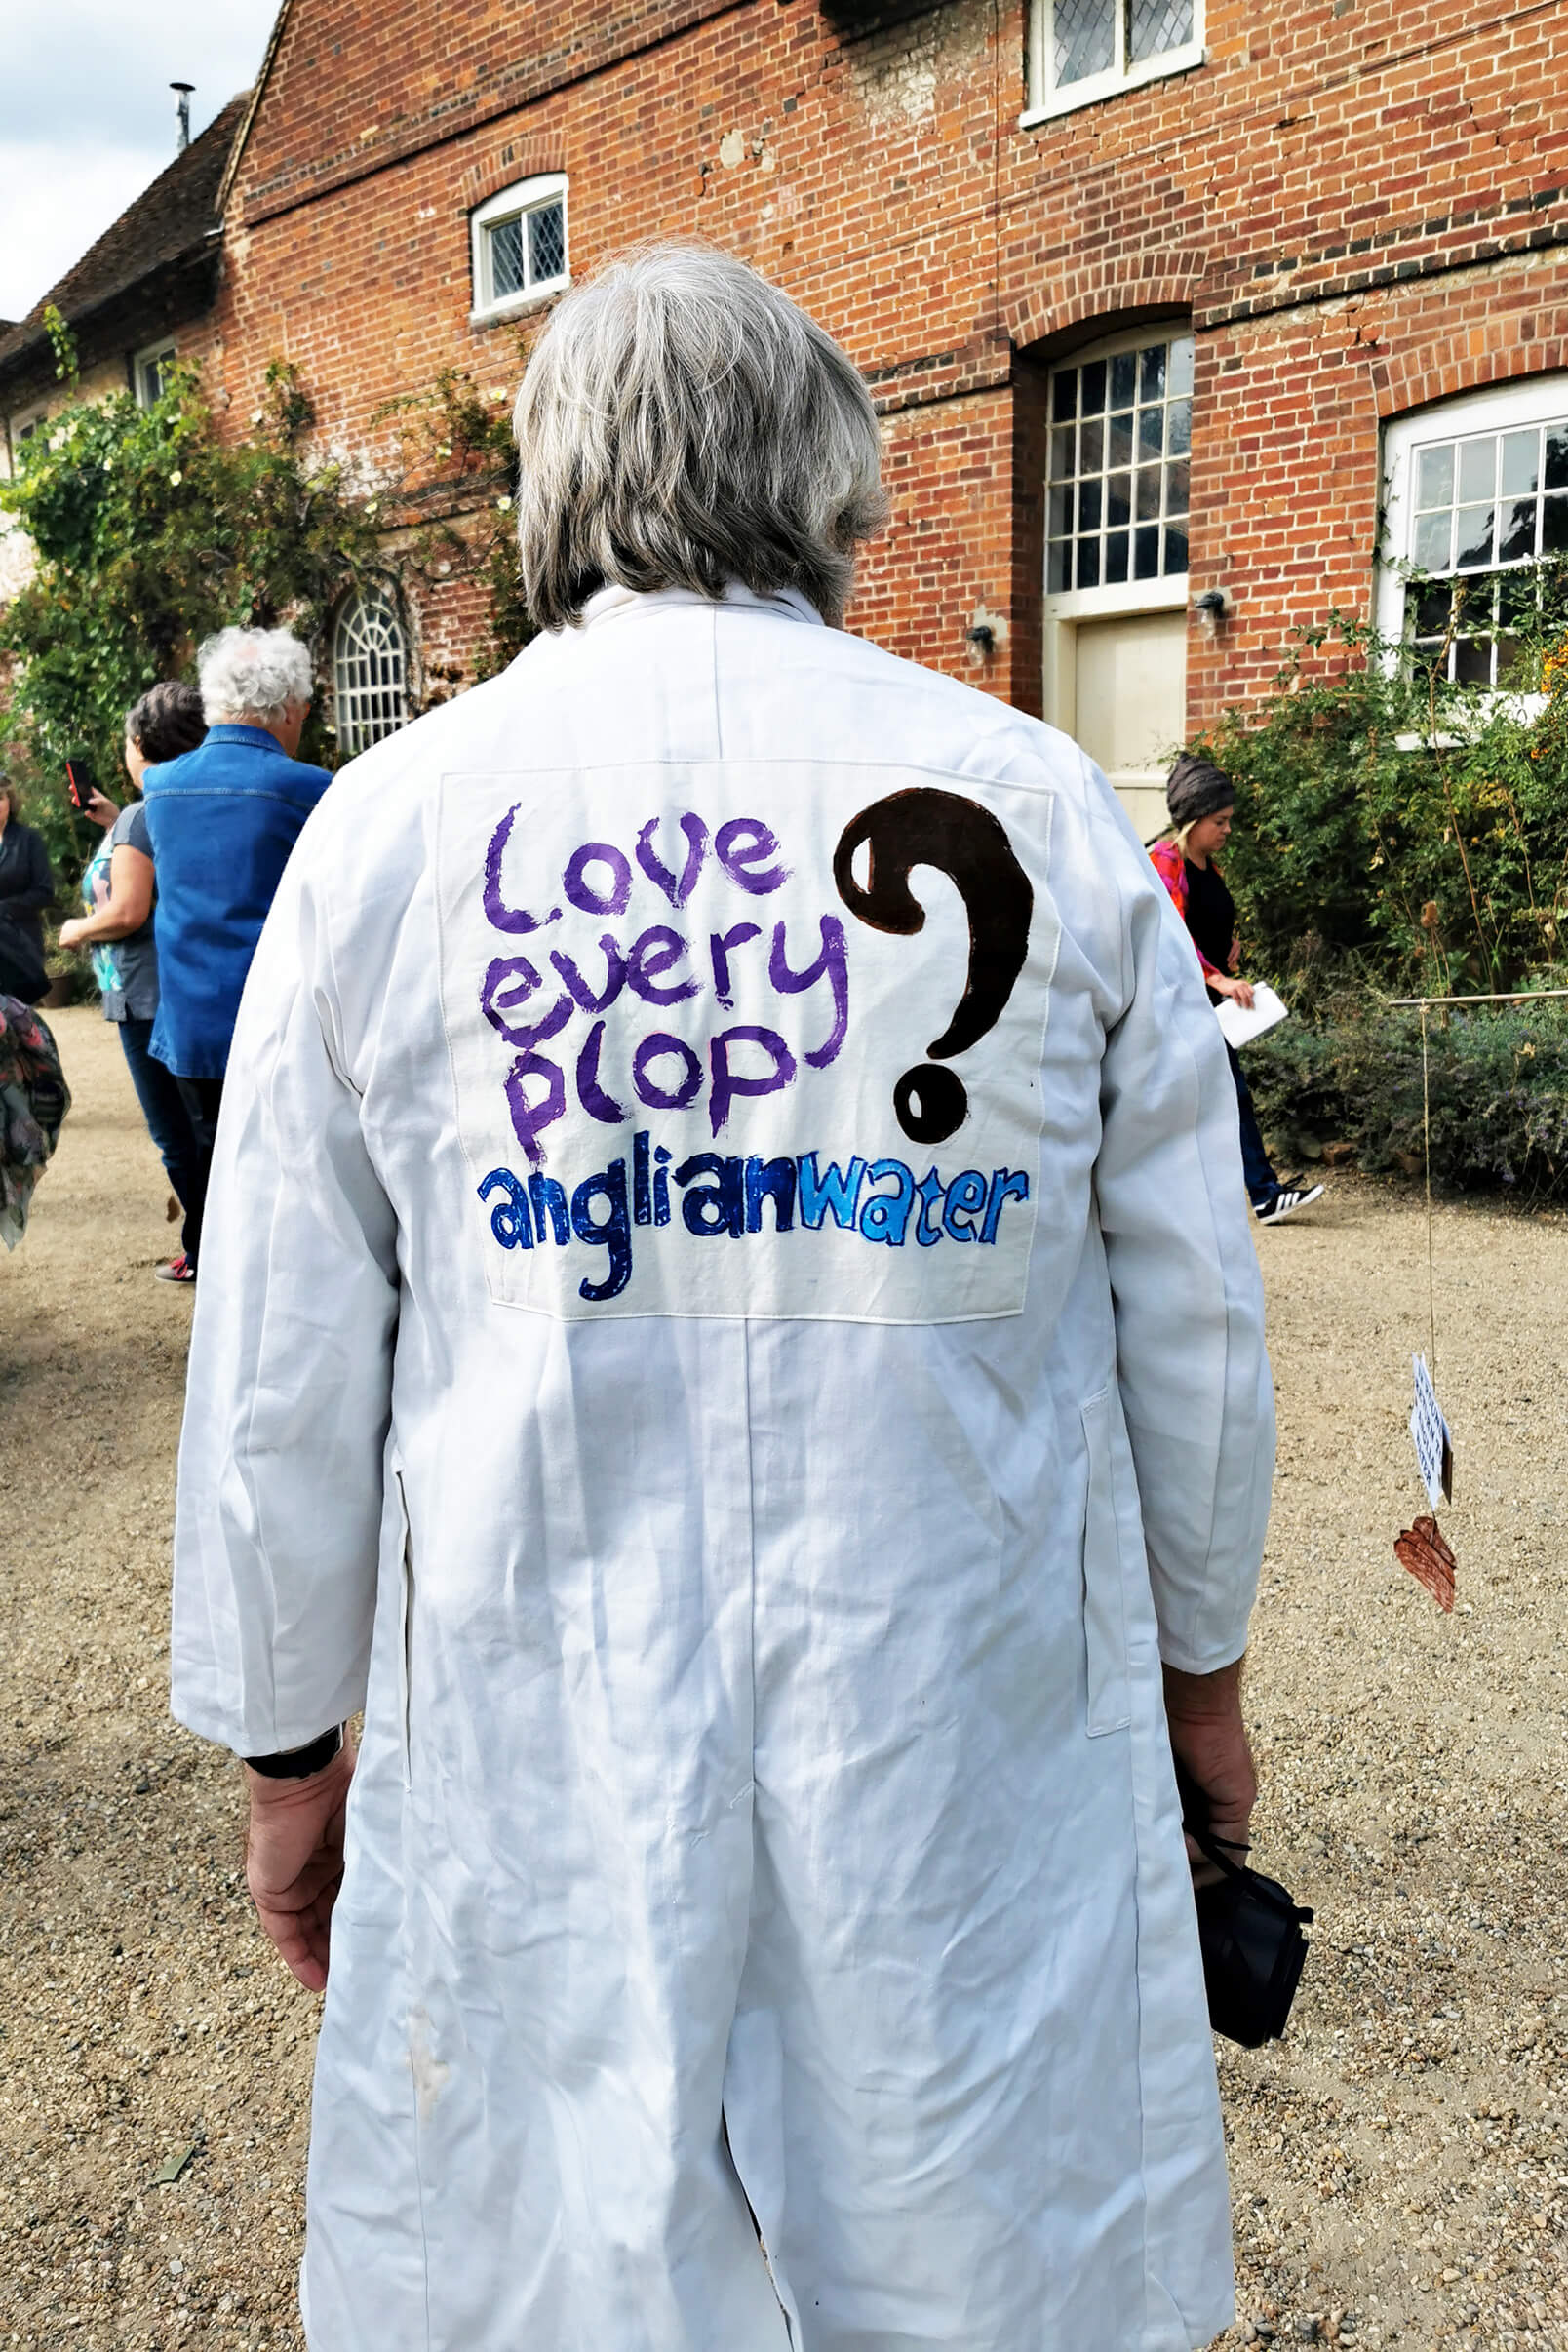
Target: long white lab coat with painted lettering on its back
[751, 1532]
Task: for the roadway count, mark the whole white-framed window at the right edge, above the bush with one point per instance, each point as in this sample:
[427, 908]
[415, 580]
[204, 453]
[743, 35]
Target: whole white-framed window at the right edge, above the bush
[1475, 521]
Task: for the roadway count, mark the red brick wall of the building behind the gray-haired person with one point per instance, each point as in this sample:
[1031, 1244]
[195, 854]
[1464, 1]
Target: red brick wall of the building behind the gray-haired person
[1360, 208]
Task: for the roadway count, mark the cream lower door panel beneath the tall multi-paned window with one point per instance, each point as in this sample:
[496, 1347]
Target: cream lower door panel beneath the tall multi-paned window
[1132, 707]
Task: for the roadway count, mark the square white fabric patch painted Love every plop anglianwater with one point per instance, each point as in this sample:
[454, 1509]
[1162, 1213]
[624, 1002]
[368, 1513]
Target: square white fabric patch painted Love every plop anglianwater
[749, 1041]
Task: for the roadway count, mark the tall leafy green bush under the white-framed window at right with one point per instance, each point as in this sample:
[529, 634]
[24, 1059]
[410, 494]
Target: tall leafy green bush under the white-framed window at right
[1400, 820]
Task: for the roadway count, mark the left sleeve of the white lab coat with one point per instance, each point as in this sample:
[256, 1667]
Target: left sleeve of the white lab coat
[288, 1398]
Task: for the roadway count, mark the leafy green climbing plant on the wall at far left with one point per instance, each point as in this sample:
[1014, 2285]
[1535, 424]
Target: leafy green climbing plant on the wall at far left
[149, 533]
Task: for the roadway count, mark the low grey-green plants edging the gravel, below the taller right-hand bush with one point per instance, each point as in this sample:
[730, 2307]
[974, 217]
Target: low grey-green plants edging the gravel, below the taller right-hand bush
[1496, 1081]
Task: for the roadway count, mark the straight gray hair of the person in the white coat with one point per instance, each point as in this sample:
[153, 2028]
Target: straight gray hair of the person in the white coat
[681, 427]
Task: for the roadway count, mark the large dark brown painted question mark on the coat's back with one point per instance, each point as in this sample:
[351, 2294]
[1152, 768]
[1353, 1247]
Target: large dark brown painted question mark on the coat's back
[970, 846]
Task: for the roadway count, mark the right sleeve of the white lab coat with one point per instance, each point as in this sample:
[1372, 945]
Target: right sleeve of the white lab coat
[1184, 1269]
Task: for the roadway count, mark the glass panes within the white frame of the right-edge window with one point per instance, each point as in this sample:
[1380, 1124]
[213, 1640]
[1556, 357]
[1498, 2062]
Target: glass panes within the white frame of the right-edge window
[1487, 514]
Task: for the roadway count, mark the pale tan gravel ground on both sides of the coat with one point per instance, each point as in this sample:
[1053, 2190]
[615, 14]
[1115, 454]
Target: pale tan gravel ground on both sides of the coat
[1400, 2160]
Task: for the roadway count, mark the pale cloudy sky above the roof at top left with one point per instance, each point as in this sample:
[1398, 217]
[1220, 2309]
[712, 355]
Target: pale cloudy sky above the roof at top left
[88, 116]
